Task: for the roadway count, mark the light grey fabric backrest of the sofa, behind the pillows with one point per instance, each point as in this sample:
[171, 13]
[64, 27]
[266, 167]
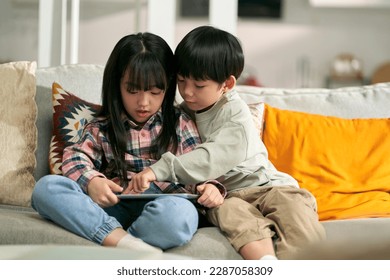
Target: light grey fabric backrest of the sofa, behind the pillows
[85, 81]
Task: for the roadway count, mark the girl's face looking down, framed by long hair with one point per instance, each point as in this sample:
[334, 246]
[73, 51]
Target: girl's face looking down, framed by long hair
[140, 104]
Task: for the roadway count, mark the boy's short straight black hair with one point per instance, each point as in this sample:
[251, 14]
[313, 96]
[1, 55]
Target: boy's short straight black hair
[208, 53]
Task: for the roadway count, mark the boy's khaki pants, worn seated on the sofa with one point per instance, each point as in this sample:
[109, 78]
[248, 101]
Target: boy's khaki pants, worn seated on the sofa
[286, 214]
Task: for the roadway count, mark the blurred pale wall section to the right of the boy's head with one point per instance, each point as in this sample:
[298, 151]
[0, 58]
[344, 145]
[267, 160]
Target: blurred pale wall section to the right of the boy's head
[318, 34]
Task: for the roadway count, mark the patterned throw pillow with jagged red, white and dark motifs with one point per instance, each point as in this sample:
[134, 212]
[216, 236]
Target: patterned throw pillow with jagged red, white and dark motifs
[70, 114]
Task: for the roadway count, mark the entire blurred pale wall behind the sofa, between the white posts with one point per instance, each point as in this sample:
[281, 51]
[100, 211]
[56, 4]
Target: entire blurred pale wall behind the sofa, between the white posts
[274, 49]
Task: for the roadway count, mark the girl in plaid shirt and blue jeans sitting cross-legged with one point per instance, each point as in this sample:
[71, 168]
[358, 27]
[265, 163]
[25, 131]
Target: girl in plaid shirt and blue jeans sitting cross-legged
[137, 124]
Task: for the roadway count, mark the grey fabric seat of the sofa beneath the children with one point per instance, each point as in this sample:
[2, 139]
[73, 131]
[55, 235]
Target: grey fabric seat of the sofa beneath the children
[22, 225]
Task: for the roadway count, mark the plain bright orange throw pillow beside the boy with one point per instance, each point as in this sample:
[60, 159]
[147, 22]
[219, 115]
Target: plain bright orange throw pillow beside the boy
[344, 163]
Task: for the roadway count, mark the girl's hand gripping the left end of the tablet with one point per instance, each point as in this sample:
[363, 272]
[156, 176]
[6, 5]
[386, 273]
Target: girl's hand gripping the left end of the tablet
[102, 191]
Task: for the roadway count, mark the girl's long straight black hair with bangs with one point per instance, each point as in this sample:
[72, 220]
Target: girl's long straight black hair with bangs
[149, 60]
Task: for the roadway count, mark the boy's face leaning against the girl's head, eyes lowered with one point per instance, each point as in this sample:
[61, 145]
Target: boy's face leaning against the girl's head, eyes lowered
[199, 94]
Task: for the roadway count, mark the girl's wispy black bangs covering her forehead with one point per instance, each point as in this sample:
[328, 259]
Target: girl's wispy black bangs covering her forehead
[145, 73]
